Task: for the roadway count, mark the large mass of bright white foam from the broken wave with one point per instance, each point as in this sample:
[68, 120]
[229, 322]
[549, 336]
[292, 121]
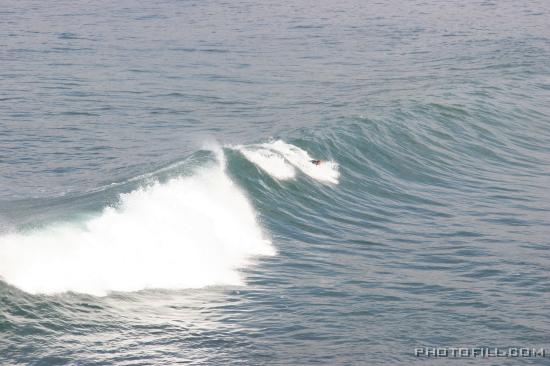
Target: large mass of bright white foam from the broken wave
[187, 233]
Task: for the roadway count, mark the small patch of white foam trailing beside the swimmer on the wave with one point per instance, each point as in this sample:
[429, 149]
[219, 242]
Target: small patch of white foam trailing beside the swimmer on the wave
[280, 160]
